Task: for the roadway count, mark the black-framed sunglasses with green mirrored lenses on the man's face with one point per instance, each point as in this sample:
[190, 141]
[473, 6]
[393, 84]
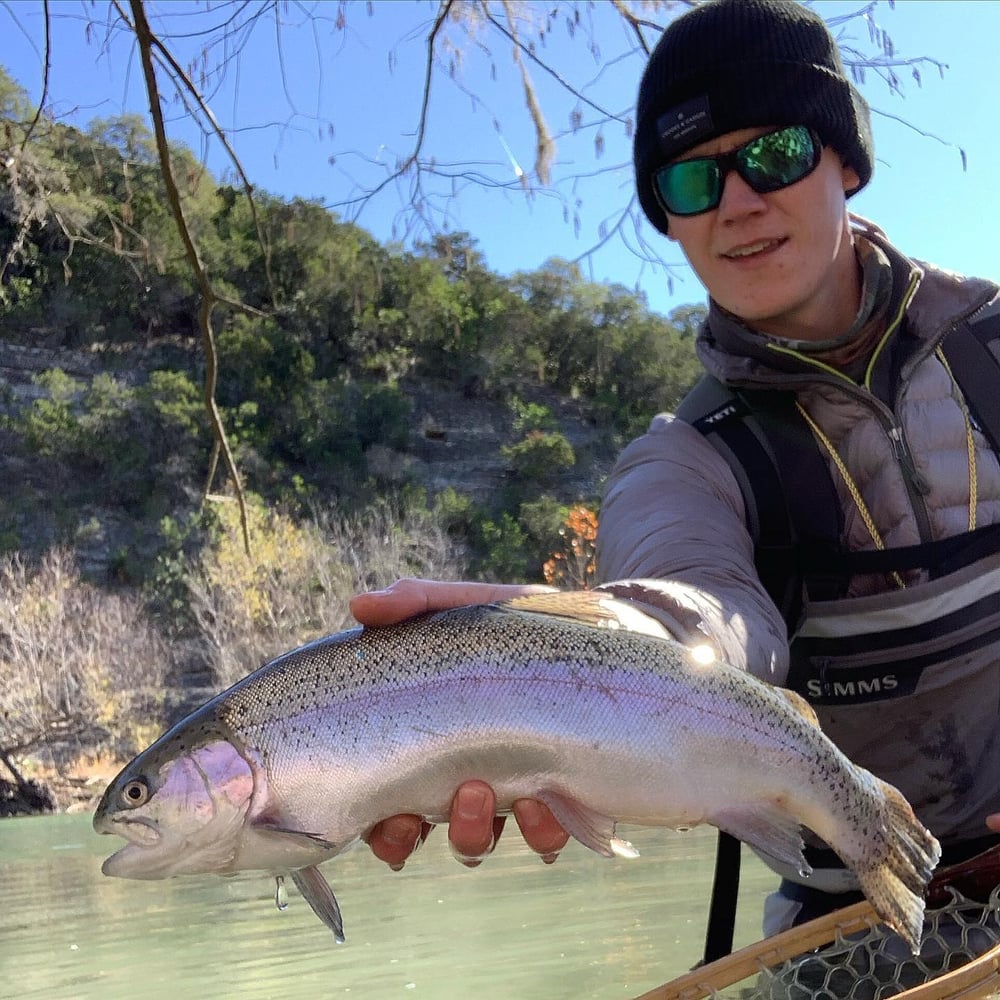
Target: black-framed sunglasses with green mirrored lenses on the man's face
[768, 163]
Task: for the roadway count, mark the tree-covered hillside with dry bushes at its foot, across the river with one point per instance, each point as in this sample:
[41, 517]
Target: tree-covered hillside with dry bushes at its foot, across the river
[392, 410]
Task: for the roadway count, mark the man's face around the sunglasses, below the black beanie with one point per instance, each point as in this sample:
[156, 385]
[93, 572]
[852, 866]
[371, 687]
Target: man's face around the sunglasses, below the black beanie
[783, 261]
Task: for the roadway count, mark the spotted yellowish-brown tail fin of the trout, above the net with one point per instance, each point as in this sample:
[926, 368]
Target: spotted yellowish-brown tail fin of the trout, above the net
[896, 887]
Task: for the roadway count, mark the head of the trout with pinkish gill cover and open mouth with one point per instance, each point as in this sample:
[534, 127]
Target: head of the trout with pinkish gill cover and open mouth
[181, 808]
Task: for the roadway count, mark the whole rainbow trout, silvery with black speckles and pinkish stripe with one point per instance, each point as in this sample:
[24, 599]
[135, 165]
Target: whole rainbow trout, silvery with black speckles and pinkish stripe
[297, 761]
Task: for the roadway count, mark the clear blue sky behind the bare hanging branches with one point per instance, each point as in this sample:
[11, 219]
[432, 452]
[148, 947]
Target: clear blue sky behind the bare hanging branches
[307, 117]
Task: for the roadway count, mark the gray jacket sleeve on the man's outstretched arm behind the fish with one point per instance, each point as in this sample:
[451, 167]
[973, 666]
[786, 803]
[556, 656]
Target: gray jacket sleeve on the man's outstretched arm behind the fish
[672, 534]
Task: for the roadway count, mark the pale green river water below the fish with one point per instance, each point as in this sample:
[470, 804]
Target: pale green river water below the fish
[513, 928]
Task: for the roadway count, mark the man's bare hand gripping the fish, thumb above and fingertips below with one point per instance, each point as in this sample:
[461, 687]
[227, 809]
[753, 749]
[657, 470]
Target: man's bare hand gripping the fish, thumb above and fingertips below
[473, 826]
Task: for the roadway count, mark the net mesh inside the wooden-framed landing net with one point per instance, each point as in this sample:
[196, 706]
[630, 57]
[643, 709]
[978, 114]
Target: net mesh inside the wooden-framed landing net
[875, 964]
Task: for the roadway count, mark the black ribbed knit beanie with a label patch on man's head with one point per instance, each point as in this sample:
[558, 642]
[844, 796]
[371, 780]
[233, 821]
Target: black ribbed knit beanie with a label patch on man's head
[734, 64]
